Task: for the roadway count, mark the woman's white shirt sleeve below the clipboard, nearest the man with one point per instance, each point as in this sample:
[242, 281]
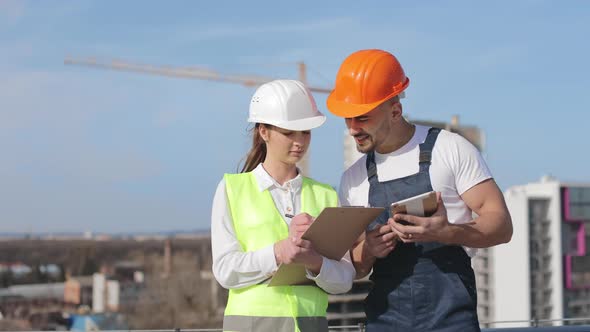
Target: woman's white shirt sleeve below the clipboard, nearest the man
[335, 277]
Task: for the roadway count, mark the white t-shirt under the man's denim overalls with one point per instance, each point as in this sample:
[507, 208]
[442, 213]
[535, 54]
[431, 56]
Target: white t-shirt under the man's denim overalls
[456, 167]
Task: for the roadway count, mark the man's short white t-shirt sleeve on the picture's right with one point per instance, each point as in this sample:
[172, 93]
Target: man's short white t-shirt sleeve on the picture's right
[470, 167]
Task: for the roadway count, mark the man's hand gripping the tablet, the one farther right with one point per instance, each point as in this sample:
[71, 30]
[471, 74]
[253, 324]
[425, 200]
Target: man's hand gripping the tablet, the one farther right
[435, 228]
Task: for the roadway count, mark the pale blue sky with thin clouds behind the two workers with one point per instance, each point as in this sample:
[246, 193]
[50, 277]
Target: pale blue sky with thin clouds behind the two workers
[87, 149]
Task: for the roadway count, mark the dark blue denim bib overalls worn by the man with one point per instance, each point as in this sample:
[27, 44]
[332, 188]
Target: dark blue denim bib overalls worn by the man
[424, 286]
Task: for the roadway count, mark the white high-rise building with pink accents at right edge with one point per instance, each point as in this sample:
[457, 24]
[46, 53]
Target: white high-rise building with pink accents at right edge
[544, 272]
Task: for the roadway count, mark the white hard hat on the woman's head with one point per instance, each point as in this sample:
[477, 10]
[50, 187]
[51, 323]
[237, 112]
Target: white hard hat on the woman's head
[287, 104]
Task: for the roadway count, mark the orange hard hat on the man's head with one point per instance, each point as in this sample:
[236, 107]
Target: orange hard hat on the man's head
[365, 80]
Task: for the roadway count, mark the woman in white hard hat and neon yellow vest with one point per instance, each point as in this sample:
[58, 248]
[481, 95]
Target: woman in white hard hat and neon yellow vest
[259, 215]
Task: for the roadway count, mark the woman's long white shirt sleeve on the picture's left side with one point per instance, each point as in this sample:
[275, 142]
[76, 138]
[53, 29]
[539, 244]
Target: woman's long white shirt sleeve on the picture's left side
[232, 267]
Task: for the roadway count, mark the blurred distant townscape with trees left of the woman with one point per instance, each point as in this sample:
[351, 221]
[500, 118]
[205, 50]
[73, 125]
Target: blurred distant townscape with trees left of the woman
[77, 283]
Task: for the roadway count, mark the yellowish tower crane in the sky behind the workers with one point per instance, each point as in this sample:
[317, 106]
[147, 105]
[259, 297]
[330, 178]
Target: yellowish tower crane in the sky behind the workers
[195, 73]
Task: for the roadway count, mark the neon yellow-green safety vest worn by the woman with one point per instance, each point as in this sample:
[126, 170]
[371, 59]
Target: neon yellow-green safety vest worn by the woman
[258, 224]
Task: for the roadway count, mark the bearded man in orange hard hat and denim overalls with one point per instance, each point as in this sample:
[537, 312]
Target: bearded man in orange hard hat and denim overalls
[421, 266]
